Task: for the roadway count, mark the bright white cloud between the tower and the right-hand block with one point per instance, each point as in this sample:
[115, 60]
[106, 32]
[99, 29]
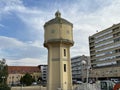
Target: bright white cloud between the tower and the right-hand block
[86, 24]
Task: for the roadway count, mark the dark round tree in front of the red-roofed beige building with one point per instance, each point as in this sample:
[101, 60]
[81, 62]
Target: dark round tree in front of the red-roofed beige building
[27, 79]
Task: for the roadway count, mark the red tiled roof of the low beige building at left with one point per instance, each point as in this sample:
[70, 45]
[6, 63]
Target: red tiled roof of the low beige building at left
[22, 69]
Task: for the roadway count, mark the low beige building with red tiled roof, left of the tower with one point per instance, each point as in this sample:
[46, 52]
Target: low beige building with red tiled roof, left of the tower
[16, 72]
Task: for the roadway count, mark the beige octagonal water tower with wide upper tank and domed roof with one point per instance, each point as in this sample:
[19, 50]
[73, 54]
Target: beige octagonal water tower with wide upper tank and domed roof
[58, 40]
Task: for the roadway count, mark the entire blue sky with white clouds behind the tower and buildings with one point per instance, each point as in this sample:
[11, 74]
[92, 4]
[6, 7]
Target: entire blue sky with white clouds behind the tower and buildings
[22, 21]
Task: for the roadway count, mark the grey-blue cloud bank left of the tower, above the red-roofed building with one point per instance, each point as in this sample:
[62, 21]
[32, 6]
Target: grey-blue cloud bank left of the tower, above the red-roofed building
[11, 48]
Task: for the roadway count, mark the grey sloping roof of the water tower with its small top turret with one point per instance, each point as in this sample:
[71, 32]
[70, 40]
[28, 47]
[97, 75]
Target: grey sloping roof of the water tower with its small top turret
[58, 20]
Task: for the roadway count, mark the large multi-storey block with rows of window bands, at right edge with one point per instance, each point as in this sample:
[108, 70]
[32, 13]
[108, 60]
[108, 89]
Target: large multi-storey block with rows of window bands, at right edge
[105, 53]
